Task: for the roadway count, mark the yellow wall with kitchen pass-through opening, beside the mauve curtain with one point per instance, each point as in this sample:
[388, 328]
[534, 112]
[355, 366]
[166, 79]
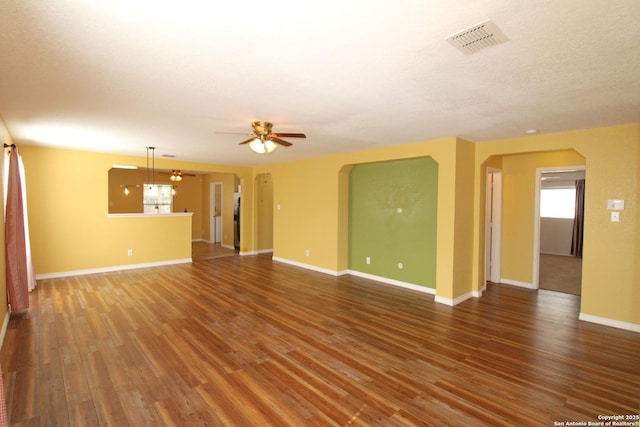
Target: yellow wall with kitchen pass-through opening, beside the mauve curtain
[67, 193]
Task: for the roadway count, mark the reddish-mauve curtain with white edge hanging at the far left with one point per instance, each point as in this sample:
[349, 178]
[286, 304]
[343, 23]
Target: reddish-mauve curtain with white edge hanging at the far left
[19, 270]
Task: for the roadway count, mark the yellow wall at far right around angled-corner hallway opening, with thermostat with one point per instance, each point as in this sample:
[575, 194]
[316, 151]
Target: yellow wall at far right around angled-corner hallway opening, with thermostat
[611, 258]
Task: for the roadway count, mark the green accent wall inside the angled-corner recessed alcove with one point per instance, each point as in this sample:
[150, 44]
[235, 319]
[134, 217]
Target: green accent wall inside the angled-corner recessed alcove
[378, 230]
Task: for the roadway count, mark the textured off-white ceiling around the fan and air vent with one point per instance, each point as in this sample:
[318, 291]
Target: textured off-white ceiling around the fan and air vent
[117, 76]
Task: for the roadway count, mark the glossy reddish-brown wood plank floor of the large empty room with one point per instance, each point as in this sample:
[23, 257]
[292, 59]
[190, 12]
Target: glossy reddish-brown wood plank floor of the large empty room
[247, 341]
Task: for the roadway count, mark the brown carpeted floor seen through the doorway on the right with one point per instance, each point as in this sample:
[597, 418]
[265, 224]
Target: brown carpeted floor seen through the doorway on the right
[561, 273]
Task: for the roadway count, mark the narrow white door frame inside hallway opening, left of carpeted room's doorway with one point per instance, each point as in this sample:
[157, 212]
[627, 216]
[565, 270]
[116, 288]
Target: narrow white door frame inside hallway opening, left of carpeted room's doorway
[493, 225]
